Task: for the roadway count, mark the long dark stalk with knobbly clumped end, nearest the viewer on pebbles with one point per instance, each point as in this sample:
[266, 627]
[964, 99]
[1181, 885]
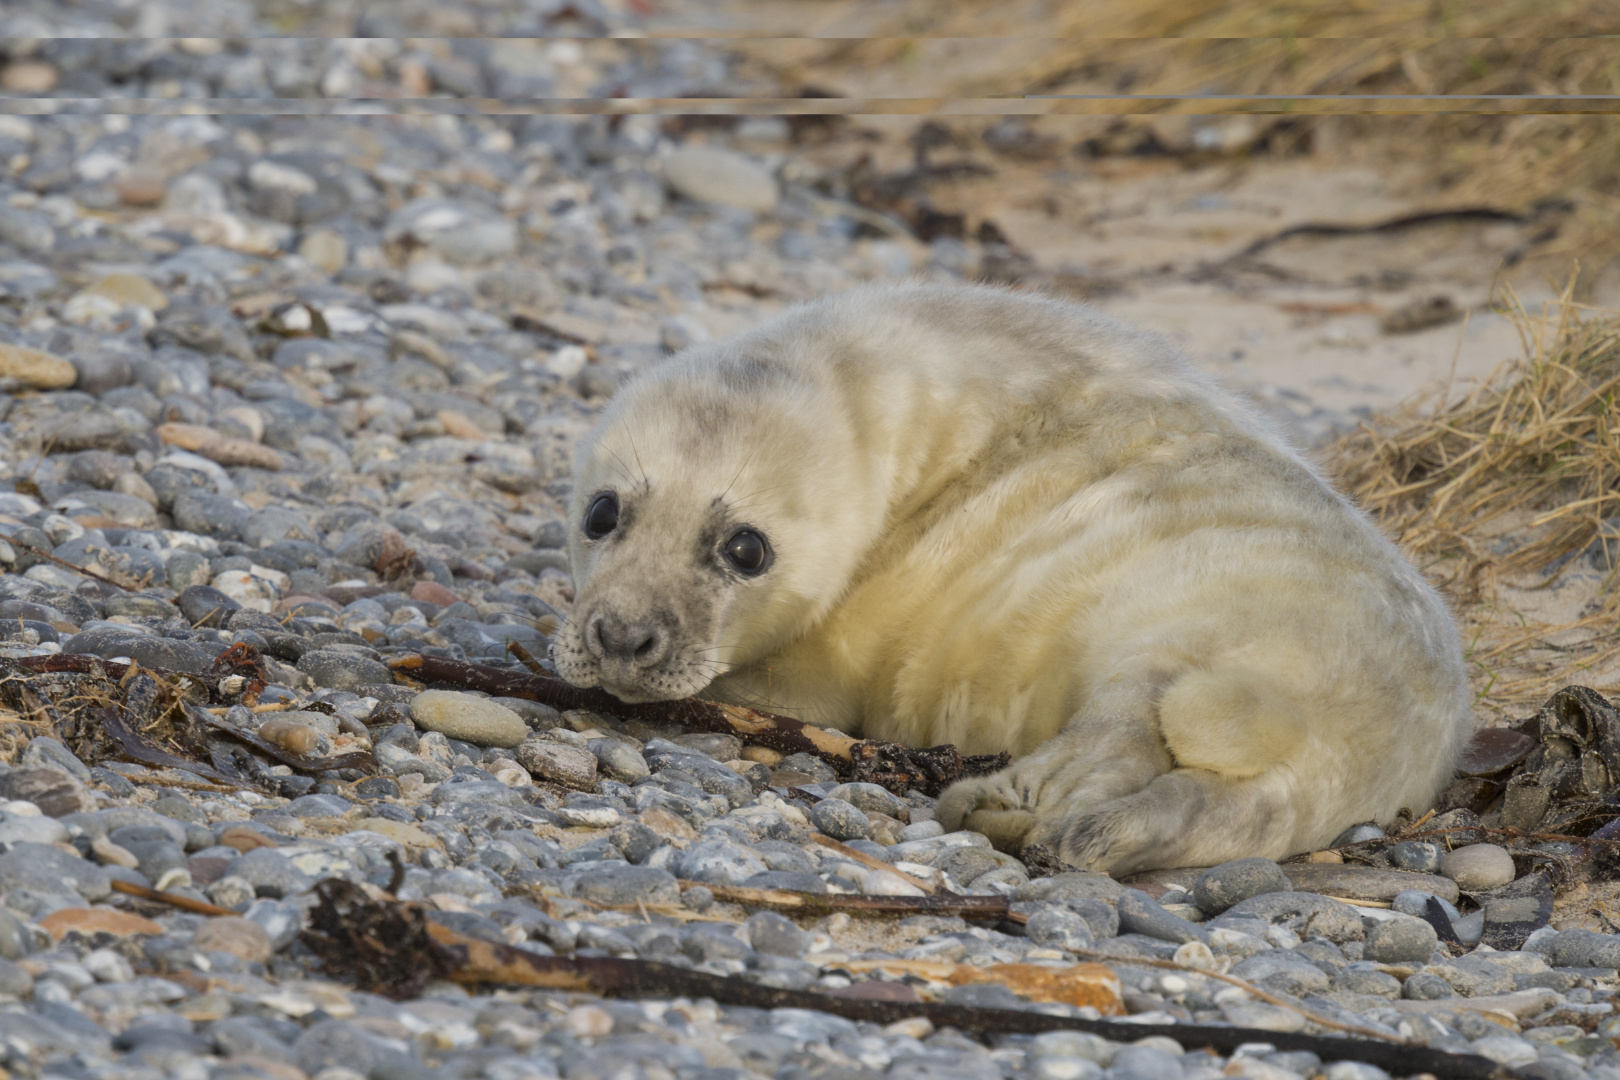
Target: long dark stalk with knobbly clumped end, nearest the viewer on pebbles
[349, 930]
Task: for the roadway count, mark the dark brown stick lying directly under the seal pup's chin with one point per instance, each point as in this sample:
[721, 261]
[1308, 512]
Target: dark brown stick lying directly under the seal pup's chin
[929, 770]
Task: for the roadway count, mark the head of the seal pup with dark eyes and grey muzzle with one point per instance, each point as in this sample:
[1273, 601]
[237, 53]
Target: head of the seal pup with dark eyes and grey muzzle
[715, 516]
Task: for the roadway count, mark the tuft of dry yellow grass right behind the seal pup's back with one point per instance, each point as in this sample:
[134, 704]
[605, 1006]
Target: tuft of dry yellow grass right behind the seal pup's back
[1503, 490]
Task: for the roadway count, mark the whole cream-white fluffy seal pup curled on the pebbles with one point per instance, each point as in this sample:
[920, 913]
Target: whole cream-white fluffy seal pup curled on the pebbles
[966, 516]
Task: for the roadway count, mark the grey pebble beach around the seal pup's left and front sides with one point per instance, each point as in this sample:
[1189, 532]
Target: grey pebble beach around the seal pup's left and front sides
[291, 399]
